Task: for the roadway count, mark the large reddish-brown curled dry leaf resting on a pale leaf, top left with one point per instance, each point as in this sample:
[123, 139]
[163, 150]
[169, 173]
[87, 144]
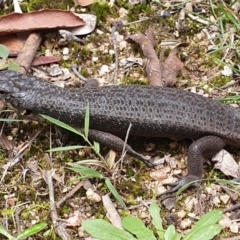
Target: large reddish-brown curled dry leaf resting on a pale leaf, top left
[45, 19]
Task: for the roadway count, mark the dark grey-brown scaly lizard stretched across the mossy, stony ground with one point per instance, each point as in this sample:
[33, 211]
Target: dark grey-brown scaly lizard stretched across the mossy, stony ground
[152, 111]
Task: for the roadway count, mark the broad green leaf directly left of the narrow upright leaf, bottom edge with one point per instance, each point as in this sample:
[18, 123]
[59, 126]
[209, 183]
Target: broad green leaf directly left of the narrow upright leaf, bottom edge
[135, 226]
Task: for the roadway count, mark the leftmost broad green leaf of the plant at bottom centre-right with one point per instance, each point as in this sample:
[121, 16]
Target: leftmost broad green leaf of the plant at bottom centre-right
[103, 230]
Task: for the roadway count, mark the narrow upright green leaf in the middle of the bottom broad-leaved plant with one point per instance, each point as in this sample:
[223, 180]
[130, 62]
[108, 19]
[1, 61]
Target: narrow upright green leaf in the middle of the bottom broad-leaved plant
[154, 211]
